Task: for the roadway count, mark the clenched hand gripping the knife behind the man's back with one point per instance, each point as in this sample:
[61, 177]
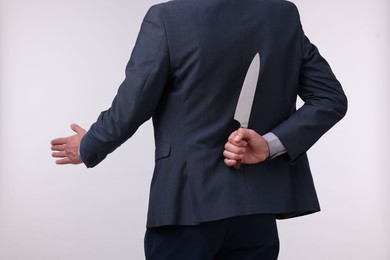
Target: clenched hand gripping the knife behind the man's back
[245, 146]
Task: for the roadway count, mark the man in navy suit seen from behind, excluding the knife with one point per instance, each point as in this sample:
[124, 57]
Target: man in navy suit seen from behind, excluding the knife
[186, 72]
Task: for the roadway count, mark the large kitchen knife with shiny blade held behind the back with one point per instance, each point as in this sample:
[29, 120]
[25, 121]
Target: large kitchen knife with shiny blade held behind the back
[248, 90]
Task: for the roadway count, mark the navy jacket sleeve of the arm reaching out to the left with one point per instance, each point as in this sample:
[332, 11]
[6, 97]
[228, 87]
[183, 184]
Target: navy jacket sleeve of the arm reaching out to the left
[137, 97]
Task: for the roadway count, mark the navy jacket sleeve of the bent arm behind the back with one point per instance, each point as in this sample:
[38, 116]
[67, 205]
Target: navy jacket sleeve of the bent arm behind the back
[324, 104]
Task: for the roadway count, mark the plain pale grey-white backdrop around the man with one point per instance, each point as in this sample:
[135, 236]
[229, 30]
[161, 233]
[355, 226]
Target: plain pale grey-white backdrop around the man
[62, 61]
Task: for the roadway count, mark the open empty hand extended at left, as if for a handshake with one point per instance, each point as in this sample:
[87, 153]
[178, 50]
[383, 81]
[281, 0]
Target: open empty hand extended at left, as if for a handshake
[66, 149]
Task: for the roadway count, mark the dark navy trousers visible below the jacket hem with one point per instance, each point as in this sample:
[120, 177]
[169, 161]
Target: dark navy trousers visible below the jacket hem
[238, 238]
